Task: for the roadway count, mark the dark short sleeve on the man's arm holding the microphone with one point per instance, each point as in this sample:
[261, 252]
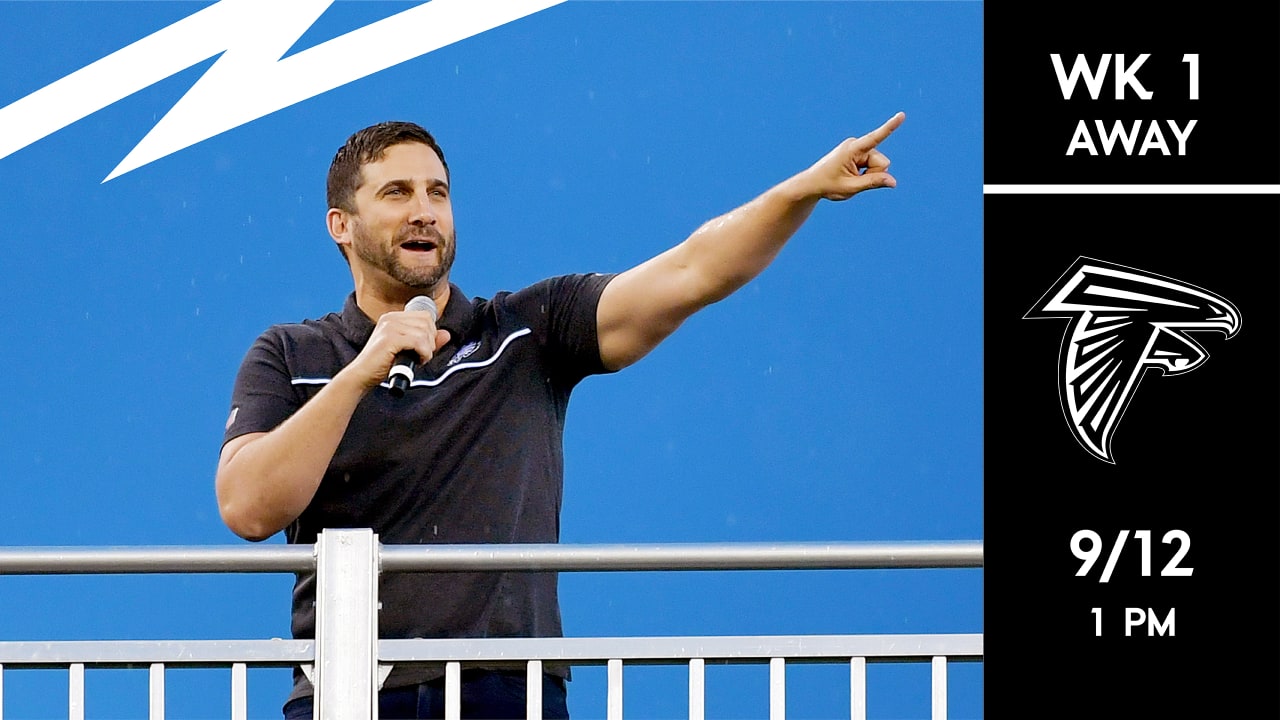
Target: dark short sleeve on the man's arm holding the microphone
[263, 395]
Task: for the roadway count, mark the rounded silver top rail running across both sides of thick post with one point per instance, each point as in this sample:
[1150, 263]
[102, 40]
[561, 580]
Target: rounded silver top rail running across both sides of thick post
[499, 558]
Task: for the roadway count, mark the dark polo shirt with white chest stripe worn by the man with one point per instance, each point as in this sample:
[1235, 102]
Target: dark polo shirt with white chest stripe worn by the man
[472, 454]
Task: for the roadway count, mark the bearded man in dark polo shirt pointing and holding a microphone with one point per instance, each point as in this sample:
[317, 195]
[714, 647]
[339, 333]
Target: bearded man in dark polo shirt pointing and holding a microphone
[472, 453]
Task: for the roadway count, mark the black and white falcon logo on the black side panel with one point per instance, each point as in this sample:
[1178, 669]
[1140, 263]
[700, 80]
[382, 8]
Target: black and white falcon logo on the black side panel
[1123, 323]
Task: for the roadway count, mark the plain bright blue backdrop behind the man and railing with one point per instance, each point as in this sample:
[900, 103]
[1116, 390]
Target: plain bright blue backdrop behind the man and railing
[836, 398]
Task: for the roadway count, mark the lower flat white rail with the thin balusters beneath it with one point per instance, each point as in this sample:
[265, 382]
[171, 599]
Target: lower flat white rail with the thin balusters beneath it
[531, 654]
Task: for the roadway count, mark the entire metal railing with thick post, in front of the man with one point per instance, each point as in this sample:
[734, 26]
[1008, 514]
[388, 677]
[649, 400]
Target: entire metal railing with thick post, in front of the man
[348, 660]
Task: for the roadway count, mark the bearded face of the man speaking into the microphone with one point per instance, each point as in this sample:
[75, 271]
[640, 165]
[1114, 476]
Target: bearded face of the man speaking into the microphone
[404, 221]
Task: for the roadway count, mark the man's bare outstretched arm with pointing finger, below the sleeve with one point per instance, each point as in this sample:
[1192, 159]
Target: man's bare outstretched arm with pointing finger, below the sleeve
[646, 304]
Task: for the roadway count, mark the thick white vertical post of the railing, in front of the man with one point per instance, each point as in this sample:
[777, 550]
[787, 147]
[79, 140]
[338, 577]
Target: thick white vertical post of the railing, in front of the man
[346, 668]
